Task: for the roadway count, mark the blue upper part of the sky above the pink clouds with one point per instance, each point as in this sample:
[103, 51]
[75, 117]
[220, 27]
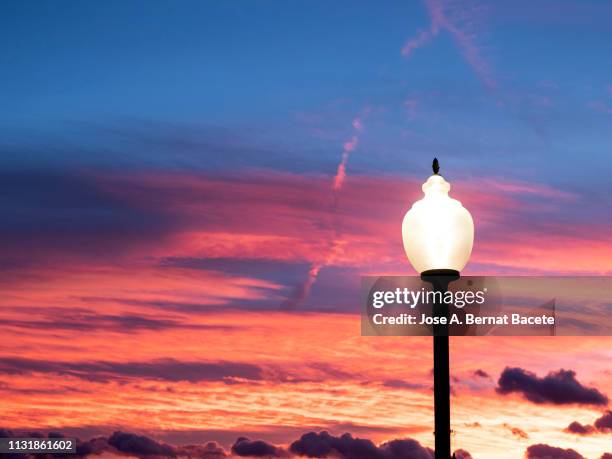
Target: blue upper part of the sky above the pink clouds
[289, 77]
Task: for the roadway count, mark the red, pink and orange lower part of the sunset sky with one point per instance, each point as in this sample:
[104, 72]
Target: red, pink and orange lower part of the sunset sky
[180, 333]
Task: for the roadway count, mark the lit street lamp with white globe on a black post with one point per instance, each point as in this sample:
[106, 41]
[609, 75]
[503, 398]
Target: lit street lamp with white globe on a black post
[438, 234]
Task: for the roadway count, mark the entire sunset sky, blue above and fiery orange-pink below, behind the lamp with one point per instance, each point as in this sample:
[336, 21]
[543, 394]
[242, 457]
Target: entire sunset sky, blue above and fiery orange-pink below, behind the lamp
[191, 192]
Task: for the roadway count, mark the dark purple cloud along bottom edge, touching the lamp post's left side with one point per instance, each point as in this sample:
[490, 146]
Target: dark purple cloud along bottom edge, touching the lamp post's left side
[323, 444]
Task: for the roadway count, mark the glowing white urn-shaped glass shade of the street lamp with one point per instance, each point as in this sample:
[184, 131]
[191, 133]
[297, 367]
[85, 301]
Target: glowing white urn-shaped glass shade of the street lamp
[438, 232]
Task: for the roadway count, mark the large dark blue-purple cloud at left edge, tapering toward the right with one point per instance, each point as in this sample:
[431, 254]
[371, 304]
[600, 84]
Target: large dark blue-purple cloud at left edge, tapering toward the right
[69, 212]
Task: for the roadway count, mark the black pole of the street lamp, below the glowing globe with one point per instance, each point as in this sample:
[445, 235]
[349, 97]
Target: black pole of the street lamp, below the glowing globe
[440, 278]
